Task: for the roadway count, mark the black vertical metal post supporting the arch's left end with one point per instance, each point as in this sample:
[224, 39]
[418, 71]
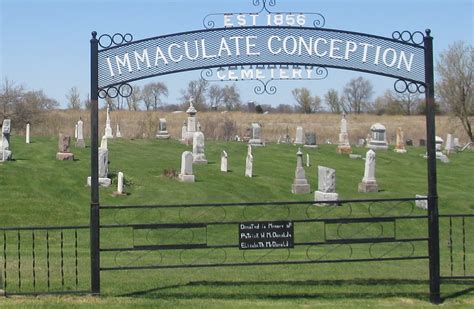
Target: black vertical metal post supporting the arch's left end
[94, 216]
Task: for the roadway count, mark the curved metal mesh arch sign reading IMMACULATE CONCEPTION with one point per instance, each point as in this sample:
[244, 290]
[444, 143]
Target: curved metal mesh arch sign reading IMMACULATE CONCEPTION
[261, 45]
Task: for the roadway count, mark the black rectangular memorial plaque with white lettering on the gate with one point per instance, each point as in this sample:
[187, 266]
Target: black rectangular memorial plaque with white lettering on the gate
[266, 235]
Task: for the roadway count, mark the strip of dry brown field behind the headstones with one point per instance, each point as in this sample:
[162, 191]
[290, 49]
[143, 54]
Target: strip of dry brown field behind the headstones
[141, 124]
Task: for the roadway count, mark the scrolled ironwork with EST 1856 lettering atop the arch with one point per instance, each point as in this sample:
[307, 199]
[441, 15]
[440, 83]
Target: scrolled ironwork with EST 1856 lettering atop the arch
[317, 19]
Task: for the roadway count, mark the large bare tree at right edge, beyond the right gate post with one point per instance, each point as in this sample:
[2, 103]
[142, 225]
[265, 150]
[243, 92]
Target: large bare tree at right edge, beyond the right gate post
[455, 84]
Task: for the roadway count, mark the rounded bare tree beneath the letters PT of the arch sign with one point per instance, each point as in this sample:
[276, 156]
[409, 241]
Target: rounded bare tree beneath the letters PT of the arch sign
[357, 93]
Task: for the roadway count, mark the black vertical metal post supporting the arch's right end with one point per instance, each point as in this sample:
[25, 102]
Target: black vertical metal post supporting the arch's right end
[433, 220]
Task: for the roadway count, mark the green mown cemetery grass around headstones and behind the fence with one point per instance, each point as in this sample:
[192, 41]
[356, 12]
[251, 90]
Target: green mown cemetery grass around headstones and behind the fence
[37, 190]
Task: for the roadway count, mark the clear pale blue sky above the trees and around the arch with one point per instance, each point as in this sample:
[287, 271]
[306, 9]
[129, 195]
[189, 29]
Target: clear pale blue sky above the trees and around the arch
[45, 43]
